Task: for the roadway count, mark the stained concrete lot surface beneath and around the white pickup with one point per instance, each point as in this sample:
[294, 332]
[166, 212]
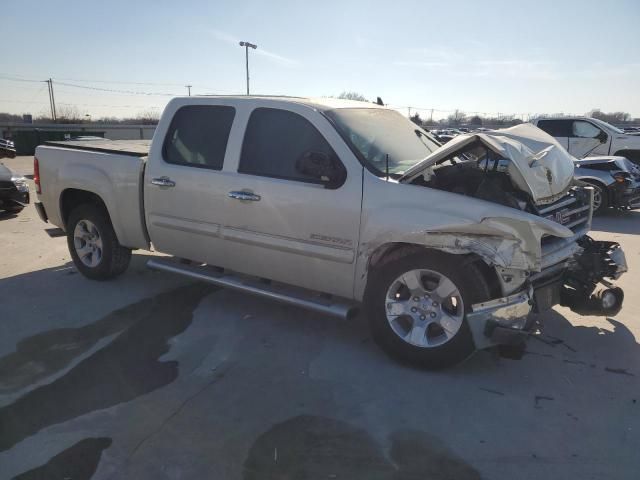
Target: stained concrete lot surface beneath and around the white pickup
[152, 377]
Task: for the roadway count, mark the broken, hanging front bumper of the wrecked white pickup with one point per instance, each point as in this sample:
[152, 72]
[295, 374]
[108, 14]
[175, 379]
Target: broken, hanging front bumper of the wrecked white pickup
[582, 284]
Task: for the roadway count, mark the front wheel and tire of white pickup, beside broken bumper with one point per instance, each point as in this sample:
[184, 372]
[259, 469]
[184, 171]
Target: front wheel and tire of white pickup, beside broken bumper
[441, 352]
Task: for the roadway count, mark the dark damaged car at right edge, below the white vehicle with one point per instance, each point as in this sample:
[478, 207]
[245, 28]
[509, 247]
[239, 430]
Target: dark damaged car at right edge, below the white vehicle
[616, 182]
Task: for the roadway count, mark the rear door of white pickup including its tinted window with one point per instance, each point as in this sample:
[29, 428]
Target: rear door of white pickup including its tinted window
[185, 185]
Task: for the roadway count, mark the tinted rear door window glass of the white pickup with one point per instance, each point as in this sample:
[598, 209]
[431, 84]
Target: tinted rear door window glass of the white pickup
[198, 136]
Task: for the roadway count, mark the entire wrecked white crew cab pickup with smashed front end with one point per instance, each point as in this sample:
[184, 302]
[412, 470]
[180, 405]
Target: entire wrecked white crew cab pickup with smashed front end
[331, 205]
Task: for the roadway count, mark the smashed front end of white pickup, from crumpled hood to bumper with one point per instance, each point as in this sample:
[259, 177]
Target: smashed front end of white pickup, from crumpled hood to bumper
[542, 258]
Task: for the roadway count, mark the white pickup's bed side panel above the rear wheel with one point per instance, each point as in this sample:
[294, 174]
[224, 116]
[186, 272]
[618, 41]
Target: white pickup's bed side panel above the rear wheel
[115, 178]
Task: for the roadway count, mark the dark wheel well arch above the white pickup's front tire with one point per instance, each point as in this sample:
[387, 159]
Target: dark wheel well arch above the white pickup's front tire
[392, 251]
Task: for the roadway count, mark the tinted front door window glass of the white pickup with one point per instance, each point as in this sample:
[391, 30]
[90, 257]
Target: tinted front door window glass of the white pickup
[283, 144]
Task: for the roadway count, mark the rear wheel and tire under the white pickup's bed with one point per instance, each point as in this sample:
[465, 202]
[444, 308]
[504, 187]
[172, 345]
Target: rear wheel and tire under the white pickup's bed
[93, 244]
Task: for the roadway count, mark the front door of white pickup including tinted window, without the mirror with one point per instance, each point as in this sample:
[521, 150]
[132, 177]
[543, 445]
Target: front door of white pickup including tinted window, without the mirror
[292, 228]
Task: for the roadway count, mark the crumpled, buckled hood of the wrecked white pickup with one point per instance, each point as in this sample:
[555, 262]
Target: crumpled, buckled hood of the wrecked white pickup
[538, 165]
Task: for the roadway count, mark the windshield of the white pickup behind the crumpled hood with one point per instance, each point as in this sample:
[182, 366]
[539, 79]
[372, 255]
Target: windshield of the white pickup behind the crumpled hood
[376, 133]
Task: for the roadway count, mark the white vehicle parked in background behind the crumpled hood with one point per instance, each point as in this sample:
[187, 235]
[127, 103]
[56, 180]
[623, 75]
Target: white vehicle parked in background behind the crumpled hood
[585, 137]
